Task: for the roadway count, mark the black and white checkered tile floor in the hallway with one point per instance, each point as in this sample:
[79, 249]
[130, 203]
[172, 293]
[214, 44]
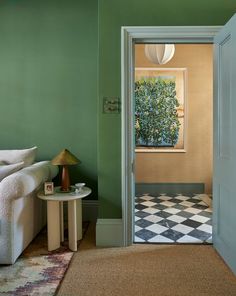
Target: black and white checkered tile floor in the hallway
[172, 219]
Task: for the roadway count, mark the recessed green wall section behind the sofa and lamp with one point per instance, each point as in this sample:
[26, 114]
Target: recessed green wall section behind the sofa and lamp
[48, 80]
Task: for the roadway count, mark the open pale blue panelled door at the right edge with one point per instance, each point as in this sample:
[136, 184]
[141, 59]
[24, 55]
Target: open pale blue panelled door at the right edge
[224, 179]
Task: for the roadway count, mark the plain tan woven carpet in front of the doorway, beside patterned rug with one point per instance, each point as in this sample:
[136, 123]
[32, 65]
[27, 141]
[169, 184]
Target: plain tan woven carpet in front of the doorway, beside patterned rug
[147, 270]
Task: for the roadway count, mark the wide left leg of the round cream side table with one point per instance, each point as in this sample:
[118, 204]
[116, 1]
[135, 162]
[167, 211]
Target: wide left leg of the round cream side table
[53, 217]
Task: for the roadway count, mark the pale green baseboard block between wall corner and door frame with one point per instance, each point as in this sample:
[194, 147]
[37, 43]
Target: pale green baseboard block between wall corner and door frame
[109, 233]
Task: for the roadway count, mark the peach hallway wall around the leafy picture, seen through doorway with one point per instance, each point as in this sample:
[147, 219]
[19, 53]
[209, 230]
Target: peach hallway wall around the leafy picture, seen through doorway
[195, 165]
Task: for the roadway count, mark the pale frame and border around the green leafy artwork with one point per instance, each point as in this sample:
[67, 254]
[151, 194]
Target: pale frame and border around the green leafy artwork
[179, 77]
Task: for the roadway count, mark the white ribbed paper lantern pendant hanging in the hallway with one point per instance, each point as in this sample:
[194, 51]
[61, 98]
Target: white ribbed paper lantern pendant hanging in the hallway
[159, 53]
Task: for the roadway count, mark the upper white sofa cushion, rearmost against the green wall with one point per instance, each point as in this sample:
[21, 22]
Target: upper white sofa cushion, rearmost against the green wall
[22, 155]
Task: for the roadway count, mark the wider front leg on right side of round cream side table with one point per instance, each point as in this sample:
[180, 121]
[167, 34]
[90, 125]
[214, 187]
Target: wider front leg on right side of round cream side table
[72, 225]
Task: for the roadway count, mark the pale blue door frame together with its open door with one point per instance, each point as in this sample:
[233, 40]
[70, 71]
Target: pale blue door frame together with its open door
[224, 202]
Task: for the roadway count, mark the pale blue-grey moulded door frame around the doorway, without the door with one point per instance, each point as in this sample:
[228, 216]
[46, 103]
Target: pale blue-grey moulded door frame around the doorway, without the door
[130, 36]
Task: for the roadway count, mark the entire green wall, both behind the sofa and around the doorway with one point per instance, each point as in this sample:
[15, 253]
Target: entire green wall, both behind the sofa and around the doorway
[49, 85]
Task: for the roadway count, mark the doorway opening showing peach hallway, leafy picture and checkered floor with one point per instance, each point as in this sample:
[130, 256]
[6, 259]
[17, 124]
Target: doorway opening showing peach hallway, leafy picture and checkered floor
[173, 143]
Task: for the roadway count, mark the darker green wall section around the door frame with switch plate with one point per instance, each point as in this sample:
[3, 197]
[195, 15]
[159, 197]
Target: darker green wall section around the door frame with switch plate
[112, 15]
